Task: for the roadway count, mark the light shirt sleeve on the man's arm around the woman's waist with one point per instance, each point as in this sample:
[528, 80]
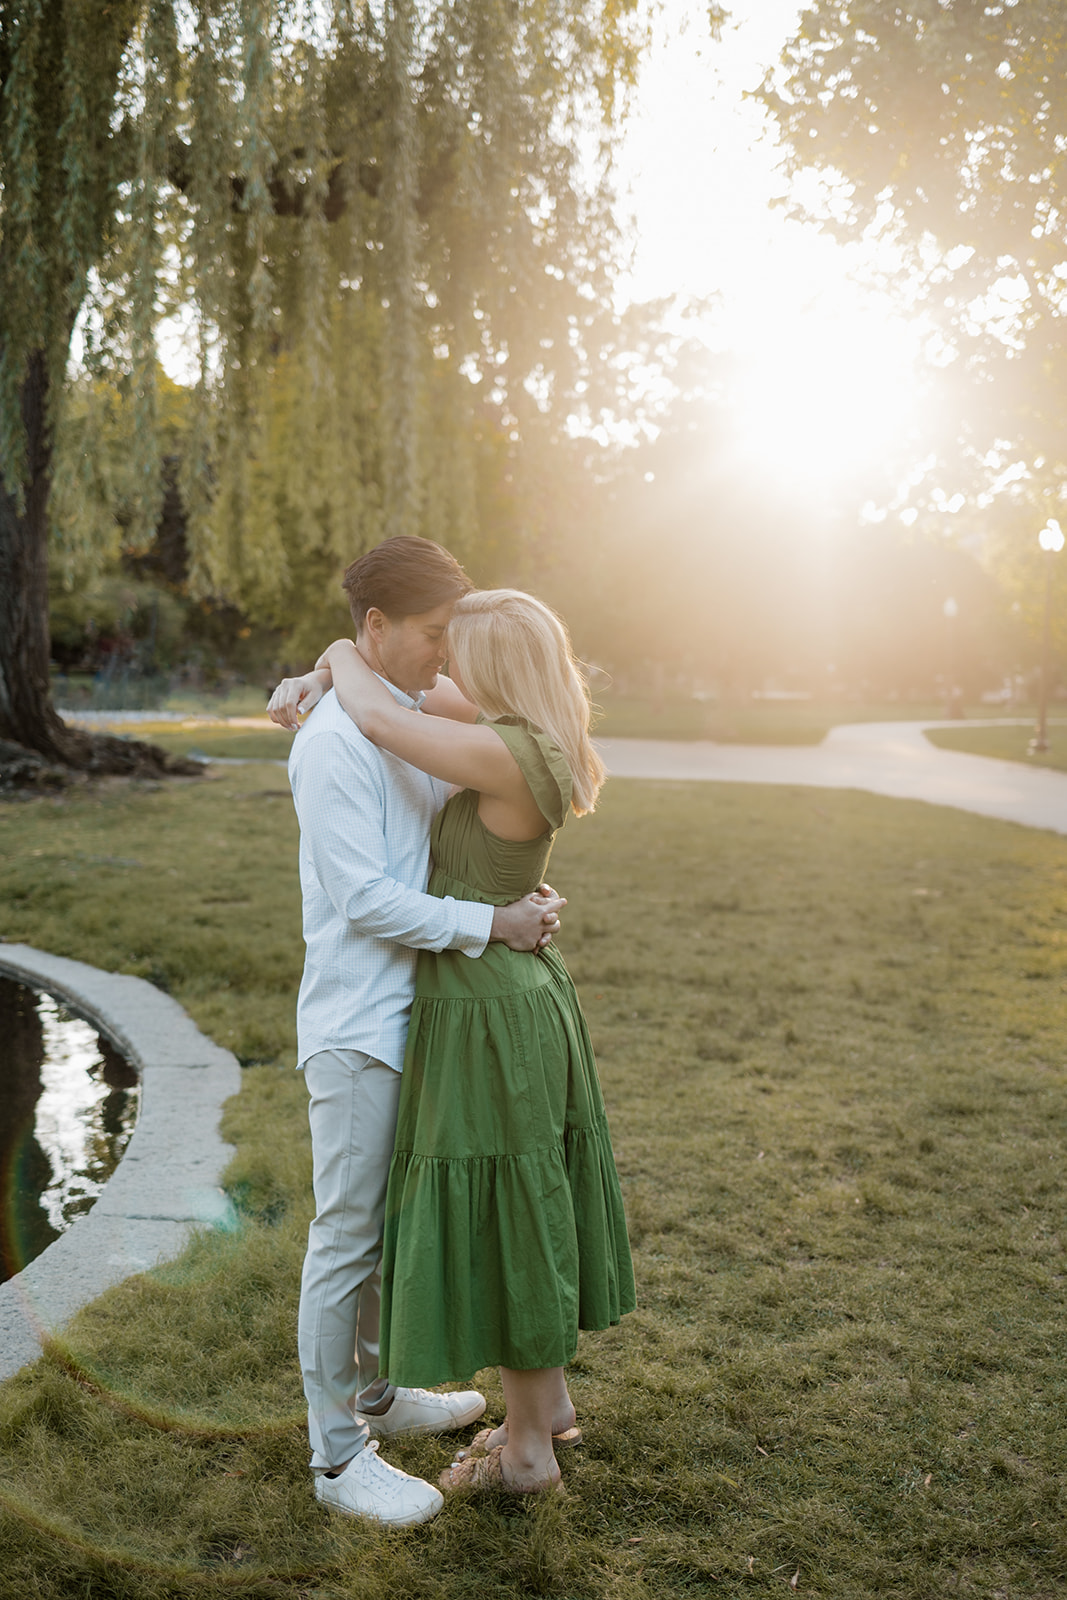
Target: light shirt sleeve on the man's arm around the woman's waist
[340, 806]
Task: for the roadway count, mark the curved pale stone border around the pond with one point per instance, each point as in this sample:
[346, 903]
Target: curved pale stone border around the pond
[169, 1178]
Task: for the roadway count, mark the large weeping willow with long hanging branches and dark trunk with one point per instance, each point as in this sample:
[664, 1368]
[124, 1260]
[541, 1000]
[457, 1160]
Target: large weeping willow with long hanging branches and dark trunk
[356, 220]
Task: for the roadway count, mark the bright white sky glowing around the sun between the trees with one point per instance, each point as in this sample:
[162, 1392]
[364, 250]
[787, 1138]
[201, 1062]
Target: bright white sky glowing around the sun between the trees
[828, 370]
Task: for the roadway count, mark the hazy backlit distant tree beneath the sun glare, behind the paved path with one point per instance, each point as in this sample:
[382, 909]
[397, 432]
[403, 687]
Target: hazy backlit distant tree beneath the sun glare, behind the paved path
[701, 575]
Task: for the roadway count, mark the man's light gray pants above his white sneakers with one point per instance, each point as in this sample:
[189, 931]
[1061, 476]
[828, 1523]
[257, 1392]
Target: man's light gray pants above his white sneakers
[353, 1114]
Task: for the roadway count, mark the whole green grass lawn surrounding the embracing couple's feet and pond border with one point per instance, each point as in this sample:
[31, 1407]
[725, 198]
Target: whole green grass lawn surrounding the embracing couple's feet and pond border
[831, 1033]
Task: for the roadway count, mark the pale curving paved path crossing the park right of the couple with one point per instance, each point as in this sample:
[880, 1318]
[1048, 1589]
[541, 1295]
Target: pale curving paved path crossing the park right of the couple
[882, 758]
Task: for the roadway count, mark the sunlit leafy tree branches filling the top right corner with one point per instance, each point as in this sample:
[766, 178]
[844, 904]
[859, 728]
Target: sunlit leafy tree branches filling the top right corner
[940, 132]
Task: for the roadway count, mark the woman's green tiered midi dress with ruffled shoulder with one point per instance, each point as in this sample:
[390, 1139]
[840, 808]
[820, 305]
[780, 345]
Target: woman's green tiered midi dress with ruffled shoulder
[505, 1225]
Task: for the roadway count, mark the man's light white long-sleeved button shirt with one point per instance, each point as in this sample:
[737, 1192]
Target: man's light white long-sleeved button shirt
[366, 858]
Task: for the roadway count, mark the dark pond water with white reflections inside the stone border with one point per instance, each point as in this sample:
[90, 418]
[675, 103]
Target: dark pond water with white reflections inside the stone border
[70, 1106]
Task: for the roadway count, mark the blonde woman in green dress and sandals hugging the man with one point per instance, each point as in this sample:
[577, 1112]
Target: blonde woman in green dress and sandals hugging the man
[505, 1226]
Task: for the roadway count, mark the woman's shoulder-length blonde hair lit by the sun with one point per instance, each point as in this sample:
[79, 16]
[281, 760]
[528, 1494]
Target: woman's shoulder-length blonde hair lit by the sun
[514, 657]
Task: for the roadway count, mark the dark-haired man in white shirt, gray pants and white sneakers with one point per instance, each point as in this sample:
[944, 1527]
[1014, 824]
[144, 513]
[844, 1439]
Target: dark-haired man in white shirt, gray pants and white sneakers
[366, 822]
